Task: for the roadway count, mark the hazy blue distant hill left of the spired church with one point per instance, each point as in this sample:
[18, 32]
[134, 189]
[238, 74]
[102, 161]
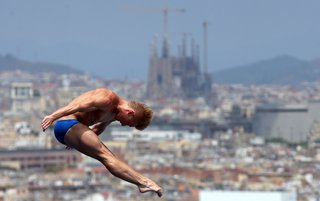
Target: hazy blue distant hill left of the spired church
[10, 62]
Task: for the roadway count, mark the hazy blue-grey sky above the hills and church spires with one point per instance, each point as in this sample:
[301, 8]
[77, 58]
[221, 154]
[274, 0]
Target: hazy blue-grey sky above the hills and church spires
[111, 38]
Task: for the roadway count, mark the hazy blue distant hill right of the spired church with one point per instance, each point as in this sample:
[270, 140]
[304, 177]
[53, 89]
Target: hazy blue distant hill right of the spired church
[278, 70]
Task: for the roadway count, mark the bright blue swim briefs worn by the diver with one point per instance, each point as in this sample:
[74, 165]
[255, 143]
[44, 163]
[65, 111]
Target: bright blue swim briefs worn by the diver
[61, 128]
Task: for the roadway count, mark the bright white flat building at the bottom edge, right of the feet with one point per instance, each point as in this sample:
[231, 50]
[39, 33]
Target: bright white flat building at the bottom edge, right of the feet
[247, 196]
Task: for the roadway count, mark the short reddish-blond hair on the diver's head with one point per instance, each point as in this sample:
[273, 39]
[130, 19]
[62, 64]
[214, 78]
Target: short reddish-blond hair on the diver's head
[144, 112]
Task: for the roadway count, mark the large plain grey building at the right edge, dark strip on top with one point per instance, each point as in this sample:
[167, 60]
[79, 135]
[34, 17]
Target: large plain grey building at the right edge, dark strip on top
[289, 122]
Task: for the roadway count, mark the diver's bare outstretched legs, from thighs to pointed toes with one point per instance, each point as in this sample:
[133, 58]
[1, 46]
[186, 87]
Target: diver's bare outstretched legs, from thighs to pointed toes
[83, 139]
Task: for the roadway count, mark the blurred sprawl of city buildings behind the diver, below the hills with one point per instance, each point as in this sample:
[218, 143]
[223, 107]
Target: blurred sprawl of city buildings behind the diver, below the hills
[190, 145]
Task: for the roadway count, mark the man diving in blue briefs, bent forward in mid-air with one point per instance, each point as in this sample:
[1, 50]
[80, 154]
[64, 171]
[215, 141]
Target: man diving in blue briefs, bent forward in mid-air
[79, 124]
